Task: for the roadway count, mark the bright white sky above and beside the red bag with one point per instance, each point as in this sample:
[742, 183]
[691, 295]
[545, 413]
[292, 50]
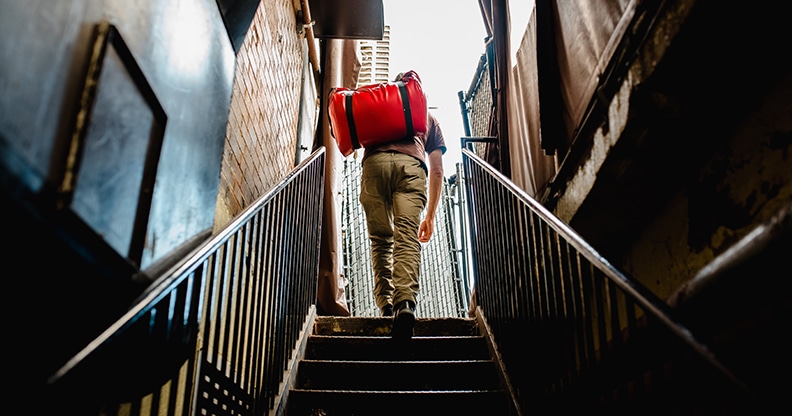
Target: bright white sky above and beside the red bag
[441, 40]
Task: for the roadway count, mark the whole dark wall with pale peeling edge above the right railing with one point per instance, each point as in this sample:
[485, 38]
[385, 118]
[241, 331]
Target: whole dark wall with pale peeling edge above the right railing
[695, 149]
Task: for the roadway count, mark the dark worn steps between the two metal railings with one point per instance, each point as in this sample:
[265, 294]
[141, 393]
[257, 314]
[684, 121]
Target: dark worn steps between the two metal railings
[351, 366]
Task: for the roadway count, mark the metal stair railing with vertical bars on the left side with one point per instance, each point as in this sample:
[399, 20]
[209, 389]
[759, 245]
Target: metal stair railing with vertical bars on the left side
[215, 333]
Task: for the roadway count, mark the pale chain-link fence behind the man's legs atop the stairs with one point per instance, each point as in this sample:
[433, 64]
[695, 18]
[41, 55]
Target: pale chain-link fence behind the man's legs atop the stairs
[443, 292]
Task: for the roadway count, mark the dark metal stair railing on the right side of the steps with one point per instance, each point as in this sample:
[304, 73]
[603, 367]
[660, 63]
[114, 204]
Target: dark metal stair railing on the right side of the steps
[575, 333]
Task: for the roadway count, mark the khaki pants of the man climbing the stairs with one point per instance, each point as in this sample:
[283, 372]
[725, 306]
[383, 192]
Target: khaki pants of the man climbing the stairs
[393, 195]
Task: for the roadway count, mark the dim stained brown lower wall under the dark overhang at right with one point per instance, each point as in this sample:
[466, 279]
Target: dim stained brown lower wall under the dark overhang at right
[742, 186]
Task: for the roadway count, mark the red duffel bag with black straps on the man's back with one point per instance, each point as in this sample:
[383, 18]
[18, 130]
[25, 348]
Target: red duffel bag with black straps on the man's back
[377, 113]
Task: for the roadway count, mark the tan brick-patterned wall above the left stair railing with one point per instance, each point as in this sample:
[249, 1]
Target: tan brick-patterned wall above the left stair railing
[261, 136]
